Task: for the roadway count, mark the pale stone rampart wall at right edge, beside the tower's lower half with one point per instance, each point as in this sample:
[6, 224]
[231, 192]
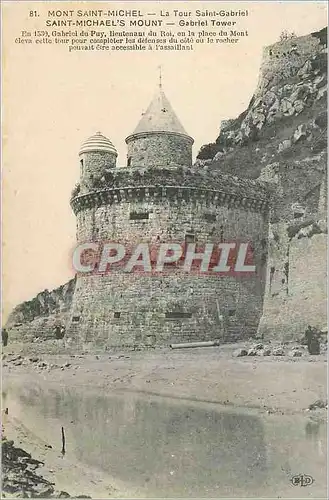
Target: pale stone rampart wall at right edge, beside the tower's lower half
[296, 289]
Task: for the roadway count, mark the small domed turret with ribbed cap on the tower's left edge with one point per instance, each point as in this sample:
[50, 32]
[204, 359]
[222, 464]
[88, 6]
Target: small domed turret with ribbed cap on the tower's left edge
[97, 156]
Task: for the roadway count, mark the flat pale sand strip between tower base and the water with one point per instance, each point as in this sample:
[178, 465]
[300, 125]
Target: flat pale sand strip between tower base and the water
[206, 374]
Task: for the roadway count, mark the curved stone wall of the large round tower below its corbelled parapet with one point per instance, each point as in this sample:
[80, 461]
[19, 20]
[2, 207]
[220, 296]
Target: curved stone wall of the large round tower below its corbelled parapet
[130, 309]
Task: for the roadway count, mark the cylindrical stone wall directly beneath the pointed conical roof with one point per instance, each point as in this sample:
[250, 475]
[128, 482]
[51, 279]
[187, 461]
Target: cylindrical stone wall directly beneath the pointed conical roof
[161, 149]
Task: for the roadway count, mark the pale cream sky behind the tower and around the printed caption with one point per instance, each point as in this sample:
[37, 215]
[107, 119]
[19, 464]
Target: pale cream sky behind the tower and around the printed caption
[53, 100]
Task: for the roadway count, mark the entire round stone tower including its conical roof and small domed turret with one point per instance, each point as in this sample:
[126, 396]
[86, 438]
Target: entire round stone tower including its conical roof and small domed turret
[160, 197]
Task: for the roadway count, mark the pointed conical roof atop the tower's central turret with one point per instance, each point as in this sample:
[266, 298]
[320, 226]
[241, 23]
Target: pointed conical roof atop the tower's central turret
[159, 117]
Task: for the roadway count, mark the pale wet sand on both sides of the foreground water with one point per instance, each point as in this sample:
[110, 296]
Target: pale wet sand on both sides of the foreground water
[278, 386]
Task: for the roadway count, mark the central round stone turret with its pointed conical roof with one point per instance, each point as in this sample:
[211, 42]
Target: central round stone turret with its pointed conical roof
[159, 140]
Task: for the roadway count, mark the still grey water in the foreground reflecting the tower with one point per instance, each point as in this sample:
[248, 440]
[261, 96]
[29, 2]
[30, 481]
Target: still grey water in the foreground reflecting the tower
[170, 448]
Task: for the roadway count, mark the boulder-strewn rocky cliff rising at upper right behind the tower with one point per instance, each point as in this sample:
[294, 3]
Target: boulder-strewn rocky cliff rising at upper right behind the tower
[293, 81]
